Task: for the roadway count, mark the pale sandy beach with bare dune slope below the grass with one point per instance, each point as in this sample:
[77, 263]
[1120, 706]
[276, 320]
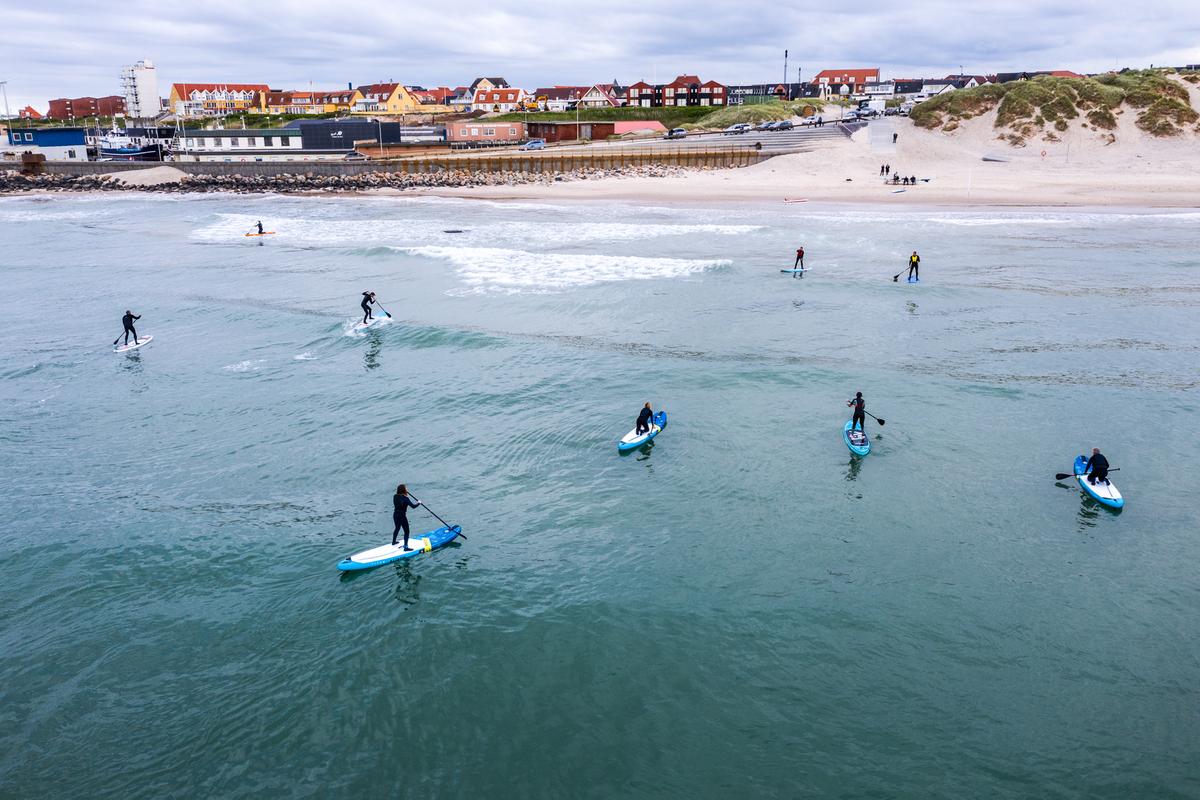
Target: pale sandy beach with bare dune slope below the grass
[1082, 170]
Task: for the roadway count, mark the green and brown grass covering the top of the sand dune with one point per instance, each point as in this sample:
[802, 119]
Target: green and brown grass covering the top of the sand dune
[1025, 109]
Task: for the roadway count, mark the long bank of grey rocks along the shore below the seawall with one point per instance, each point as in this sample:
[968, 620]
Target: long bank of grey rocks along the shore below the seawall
[314, 183]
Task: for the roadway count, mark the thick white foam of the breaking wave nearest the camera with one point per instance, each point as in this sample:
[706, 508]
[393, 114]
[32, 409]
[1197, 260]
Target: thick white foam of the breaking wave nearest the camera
[523, 272]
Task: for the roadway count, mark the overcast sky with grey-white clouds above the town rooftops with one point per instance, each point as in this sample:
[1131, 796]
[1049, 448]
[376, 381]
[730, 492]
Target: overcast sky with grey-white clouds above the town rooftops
[74, 49]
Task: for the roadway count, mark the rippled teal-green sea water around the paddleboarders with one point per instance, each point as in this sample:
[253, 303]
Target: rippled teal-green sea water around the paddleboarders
[742, 610]
